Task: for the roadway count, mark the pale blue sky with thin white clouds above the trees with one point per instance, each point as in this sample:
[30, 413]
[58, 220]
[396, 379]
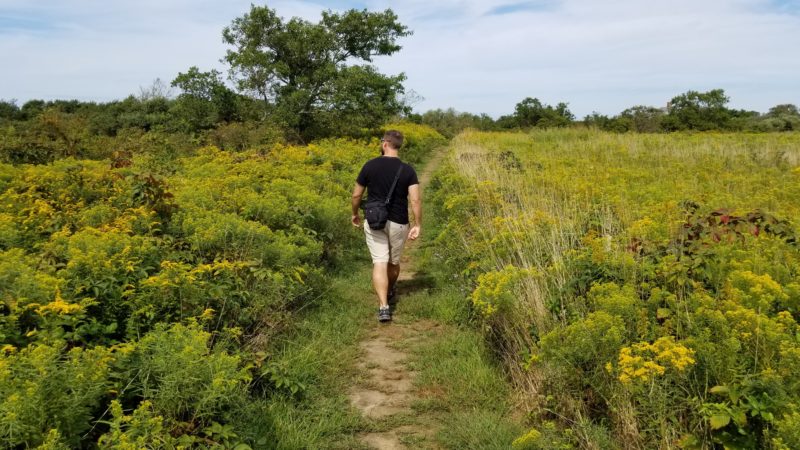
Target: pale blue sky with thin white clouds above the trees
[480, 56]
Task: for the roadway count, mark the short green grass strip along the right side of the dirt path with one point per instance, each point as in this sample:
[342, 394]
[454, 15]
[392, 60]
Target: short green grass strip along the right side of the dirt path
[463, 389]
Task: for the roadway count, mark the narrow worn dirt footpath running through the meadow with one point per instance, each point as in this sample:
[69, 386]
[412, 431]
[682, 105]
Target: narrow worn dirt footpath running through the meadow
[385, 390]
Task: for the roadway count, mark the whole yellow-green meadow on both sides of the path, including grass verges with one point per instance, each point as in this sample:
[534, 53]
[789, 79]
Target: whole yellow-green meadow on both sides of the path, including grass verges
[637, 291]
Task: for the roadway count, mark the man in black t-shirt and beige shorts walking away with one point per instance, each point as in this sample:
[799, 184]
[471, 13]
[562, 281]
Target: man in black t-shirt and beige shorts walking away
[386, 245]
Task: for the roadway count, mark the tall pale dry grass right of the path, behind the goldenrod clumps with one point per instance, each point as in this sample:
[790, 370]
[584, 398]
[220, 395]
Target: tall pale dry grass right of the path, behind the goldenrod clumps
[541, 193]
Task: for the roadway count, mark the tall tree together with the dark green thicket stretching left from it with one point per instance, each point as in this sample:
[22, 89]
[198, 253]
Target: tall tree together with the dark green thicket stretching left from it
[290, 80]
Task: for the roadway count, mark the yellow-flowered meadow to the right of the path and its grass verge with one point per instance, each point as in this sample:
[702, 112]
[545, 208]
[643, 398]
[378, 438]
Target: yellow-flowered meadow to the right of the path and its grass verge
[642, 290]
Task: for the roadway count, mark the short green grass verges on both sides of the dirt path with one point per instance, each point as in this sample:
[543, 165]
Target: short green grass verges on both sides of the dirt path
[463, 391]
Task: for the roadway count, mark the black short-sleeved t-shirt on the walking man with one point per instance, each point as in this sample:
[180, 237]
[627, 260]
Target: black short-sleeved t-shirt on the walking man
[377, 176]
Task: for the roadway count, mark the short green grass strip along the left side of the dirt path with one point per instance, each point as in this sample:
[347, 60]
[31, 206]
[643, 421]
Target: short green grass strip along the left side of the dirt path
[320, 353]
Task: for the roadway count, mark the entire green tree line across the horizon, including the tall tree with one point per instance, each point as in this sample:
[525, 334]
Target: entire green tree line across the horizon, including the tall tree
[297, 81]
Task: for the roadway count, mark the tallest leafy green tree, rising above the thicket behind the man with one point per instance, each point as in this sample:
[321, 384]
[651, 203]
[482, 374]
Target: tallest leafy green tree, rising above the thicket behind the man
[307, 73]
